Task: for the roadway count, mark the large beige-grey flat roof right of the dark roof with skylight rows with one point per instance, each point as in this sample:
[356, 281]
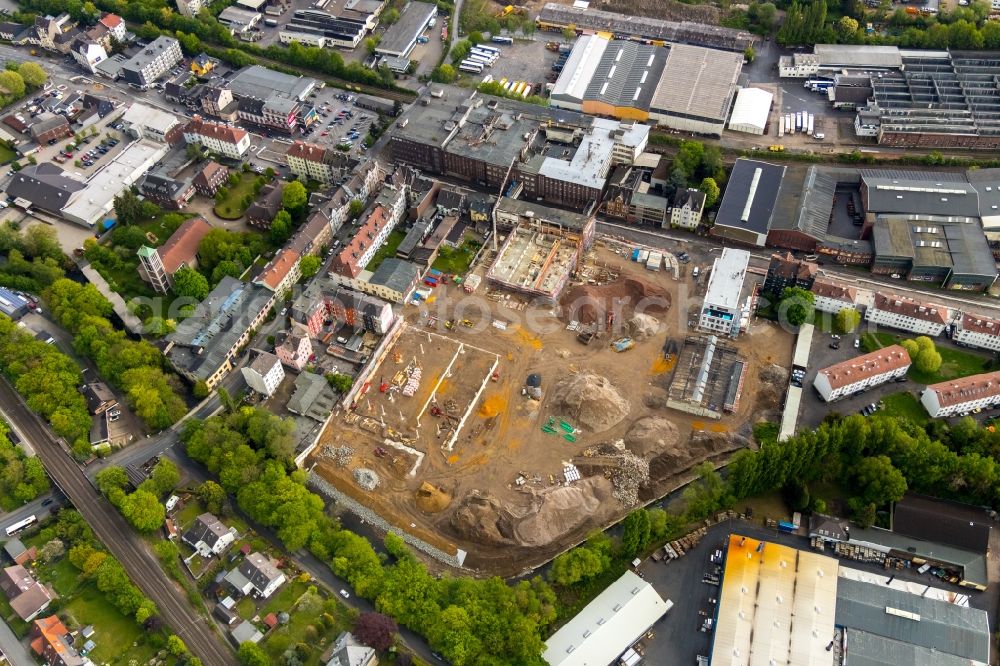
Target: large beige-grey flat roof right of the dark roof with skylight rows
[698, 83]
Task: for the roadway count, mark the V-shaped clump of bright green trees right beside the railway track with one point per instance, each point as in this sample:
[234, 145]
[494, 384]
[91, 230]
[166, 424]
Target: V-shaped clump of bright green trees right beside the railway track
[141, 508]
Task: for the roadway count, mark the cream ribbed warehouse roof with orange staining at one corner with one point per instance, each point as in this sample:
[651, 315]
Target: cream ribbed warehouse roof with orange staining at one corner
[767, 590]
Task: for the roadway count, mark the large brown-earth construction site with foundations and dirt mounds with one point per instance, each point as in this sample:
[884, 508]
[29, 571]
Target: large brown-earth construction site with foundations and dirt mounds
[507, 430]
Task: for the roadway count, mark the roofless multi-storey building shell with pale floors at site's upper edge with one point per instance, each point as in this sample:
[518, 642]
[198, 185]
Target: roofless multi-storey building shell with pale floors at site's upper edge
[543, 247]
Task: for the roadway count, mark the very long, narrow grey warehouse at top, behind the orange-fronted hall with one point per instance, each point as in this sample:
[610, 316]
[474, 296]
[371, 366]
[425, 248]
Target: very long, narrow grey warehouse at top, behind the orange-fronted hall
[556, 18]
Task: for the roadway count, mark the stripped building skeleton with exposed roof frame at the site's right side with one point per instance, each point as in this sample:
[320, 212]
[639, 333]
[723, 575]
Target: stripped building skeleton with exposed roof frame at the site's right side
[708, 378]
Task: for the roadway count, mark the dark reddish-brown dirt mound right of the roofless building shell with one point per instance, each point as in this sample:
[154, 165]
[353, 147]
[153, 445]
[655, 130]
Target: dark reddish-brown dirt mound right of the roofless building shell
[589, 304]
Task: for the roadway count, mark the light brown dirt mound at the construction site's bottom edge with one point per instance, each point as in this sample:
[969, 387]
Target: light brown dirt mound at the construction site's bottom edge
[562, 510]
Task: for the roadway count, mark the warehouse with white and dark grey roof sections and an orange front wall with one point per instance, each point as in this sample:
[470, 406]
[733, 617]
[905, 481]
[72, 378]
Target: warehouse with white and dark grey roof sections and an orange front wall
[614, 78]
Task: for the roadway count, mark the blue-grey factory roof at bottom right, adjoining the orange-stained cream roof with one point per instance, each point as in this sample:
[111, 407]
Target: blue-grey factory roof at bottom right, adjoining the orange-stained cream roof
[900, 616]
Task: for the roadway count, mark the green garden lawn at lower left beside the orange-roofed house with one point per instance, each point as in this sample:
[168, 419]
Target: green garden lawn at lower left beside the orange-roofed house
[119, 639]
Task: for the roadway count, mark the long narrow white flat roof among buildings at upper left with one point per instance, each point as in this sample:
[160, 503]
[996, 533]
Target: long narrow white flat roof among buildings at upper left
[97, 199]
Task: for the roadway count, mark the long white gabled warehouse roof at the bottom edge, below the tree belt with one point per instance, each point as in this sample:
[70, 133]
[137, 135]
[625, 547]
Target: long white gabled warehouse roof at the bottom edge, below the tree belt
[608, 625]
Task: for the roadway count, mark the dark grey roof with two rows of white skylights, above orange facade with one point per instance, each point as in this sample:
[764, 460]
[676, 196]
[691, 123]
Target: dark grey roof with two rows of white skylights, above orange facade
[627, 74]
